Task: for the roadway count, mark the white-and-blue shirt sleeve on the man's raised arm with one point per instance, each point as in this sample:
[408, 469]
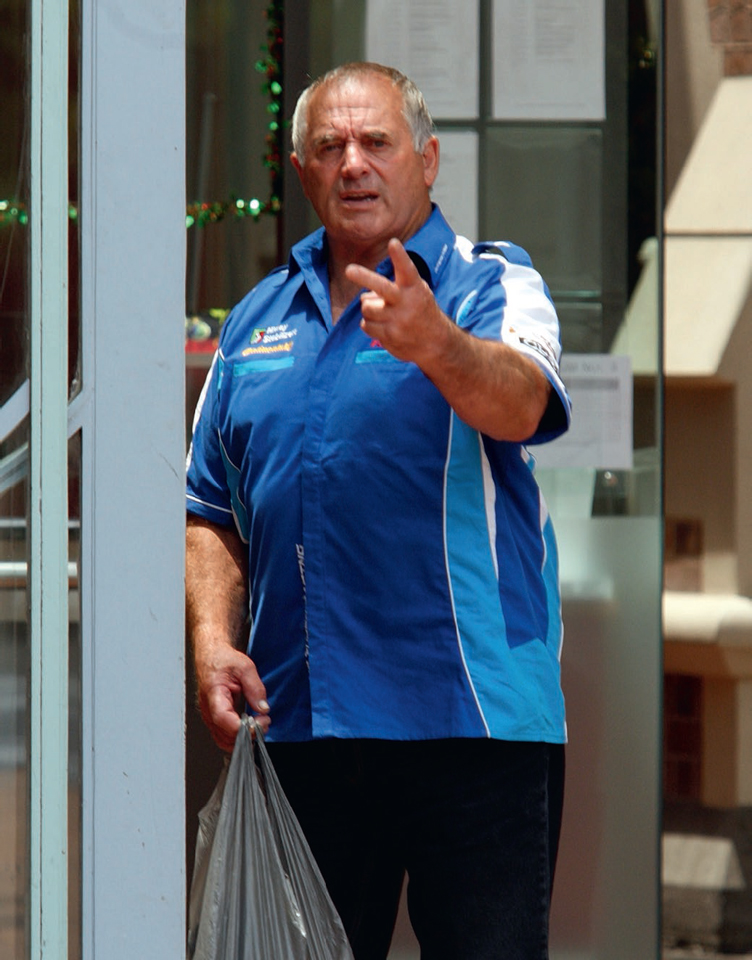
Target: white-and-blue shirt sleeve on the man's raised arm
[519, 310]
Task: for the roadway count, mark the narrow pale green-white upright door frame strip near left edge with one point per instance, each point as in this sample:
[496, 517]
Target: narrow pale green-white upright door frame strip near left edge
[48, 507]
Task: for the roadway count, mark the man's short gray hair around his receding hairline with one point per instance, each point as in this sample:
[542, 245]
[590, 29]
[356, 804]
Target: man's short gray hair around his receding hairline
[414, 107]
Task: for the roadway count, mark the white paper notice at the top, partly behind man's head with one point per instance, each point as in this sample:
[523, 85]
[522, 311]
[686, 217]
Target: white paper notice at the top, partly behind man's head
[434, 42]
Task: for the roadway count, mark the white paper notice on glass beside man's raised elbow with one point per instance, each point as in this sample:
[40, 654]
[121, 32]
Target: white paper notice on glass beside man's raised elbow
[600, 436]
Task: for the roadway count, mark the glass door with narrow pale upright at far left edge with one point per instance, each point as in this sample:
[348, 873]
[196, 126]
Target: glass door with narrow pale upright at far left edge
[39, 528]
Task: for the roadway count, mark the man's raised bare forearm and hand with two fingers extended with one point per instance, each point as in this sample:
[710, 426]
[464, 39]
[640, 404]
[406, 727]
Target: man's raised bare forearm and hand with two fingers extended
[491, 386]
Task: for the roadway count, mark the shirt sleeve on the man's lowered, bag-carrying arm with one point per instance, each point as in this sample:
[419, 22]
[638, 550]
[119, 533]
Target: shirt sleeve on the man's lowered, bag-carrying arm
[207, 492]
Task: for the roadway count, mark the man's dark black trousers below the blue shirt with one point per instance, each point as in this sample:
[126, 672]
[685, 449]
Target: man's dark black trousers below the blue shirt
[474, 823]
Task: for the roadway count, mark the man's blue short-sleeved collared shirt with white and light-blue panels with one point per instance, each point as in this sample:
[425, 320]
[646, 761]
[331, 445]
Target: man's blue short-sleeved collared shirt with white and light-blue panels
[402, 567]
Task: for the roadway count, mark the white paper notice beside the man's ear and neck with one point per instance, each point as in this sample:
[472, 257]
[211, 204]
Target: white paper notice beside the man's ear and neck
[456, 187]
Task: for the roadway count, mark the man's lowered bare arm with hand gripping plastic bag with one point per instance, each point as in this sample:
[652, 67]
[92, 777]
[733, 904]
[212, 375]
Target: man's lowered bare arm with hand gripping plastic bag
[216, 607]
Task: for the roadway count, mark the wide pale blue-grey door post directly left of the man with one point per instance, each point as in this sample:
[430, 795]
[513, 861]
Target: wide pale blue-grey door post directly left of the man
[131, 412]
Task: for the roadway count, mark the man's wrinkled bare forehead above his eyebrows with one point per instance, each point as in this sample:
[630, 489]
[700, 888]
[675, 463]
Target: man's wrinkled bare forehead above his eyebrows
[367, 102]
